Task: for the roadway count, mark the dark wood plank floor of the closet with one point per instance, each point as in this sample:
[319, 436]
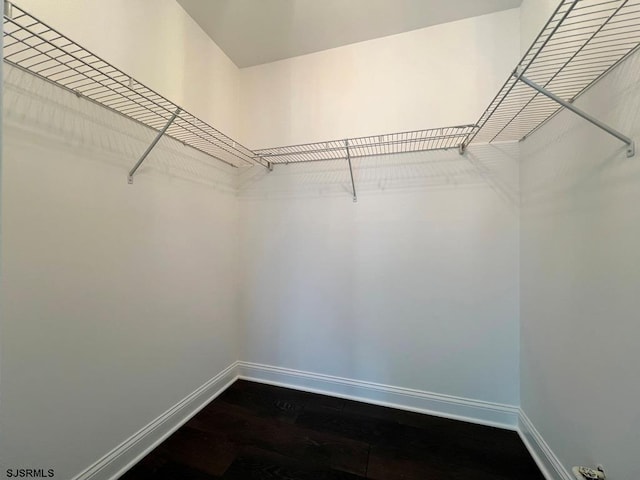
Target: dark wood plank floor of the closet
[255, 432]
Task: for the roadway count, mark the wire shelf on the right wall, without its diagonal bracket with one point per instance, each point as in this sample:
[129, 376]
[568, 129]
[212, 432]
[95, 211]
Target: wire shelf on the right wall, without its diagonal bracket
[582, 41]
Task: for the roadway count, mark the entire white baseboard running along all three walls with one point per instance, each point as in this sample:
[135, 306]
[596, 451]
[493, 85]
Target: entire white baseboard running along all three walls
[132, 450]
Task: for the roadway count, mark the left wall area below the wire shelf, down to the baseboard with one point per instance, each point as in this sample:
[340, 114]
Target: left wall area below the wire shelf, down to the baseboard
[118, 300]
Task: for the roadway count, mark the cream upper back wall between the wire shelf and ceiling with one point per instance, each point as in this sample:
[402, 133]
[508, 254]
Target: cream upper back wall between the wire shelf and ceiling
[434, 77]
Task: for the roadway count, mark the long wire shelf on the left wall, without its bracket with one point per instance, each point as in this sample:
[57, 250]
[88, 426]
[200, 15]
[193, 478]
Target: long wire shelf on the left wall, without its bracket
[32, 45]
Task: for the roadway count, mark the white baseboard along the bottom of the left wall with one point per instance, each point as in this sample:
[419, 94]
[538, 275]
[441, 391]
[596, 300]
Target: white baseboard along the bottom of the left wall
[132, 450]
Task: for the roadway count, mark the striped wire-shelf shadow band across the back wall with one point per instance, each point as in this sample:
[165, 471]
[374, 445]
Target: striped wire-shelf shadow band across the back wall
[493, 166]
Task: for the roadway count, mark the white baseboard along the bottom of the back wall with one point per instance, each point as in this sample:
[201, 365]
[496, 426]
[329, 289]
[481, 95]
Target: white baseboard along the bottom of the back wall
[457, 408]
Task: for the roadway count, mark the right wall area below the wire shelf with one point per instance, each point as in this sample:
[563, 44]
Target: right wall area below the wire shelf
[579, 281]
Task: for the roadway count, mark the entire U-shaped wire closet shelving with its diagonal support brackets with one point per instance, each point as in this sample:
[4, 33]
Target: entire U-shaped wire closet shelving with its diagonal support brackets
[582, 41]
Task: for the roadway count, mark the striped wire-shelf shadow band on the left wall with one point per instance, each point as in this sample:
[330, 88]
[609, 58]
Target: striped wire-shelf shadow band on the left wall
[44, 110]
